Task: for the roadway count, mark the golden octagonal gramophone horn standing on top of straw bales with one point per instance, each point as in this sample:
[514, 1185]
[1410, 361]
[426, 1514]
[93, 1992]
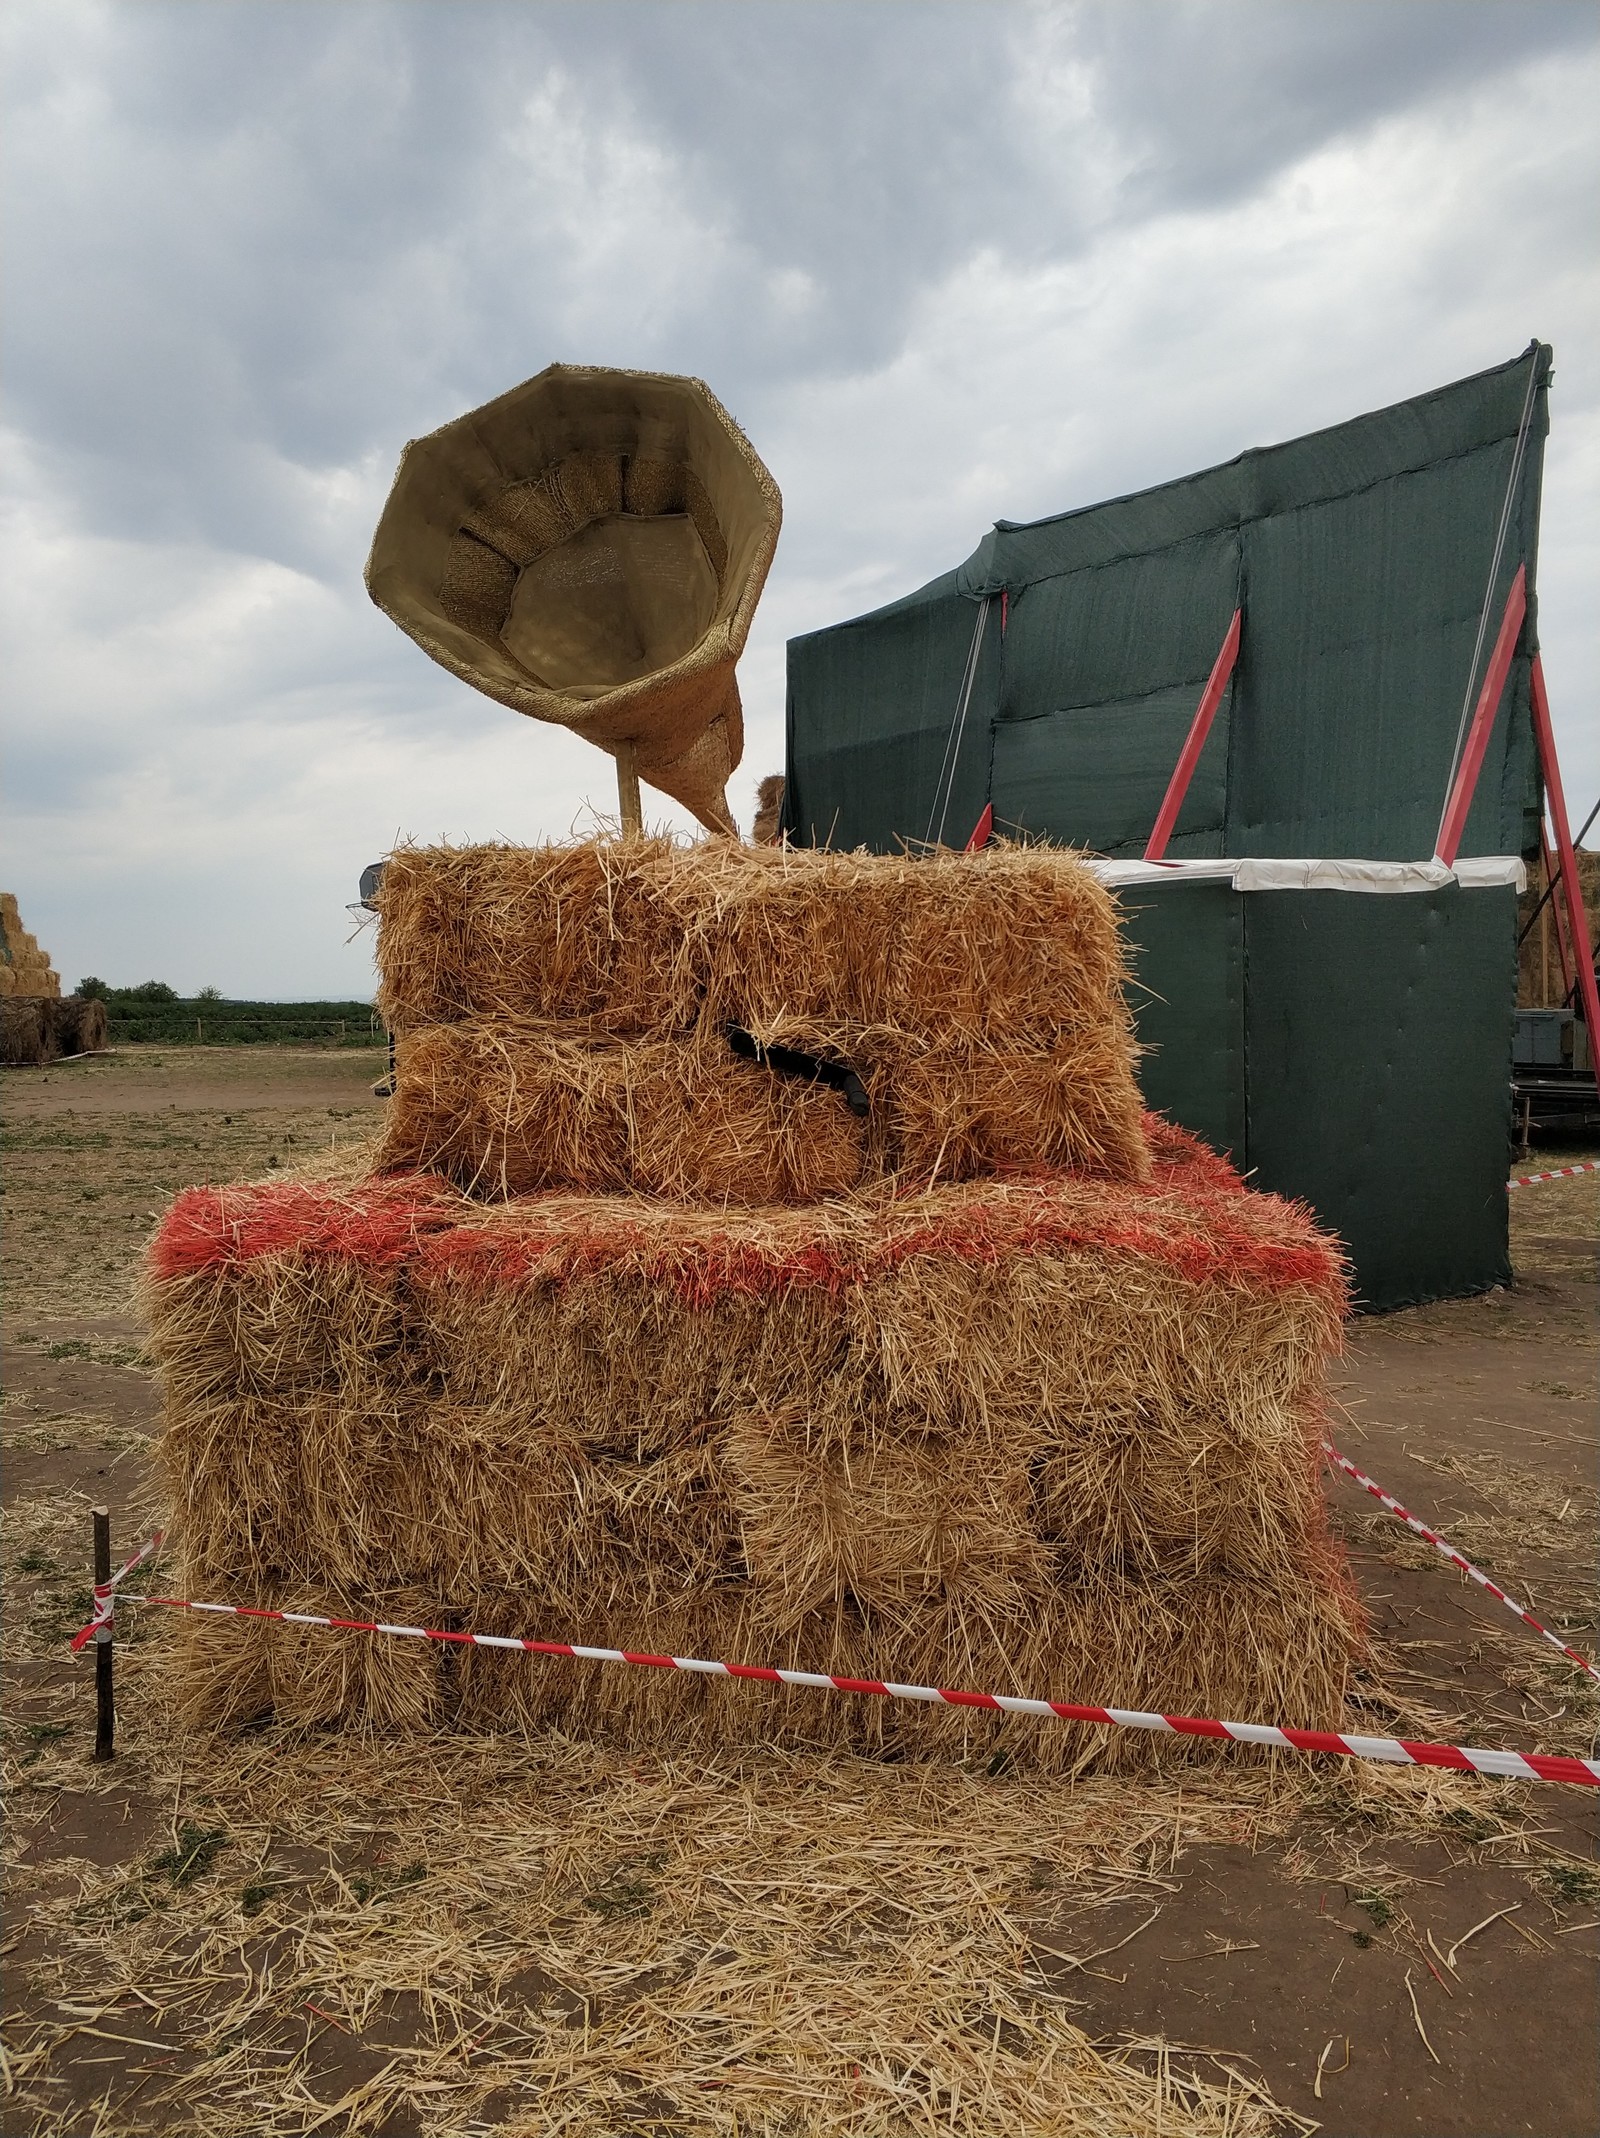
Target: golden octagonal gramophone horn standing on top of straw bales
[589, 551]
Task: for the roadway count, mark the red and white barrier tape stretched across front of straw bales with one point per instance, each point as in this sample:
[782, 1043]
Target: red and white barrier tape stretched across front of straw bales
[1391, 1752]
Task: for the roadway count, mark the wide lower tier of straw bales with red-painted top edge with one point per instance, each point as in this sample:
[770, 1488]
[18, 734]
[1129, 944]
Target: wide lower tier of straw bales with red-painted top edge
[1021, 1436]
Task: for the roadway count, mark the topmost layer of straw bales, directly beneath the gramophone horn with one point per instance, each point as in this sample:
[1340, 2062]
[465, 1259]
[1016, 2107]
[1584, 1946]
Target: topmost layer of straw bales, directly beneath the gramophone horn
[639, 935]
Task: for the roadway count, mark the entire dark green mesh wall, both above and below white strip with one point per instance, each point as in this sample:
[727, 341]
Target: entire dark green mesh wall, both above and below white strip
[1349, 1049]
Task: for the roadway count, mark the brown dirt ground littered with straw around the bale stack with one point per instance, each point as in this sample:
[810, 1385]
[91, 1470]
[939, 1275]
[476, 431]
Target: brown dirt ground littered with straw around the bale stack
[298, 1936]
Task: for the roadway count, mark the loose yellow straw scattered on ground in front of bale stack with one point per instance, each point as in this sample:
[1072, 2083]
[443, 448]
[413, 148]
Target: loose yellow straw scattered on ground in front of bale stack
[553, 1938]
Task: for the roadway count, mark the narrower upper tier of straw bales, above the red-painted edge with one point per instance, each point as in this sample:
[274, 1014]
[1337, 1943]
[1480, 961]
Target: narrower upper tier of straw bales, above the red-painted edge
[566, 1019]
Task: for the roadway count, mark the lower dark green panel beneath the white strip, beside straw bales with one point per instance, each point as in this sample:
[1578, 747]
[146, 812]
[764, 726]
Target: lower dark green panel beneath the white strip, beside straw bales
[1349, 1051]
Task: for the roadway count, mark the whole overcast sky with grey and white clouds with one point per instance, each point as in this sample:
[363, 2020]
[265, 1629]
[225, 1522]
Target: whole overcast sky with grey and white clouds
[947, 264]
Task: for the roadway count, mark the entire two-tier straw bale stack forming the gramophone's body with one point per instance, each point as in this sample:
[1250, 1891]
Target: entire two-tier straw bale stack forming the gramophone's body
[979, 1406]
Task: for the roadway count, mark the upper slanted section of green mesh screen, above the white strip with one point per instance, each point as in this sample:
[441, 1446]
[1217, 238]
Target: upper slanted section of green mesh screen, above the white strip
[1359, 557]
